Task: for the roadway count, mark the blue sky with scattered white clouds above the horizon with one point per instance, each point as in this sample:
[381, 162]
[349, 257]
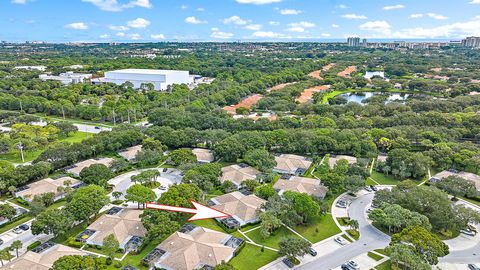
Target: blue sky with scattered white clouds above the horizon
[230, 20]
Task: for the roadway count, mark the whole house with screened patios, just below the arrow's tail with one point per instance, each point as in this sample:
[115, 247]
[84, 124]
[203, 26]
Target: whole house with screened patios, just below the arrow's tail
[124, 223]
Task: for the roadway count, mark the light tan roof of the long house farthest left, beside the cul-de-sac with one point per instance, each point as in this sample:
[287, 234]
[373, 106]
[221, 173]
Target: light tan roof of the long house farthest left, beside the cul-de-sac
[47, 185]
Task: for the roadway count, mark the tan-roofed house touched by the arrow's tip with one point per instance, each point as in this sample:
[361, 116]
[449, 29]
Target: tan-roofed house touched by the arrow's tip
[242, 208]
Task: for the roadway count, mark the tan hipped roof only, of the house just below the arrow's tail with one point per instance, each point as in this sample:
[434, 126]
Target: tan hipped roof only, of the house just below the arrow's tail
[122, 225]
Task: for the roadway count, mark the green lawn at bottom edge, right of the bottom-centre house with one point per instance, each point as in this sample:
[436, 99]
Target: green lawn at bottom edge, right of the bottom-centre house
[252, 257]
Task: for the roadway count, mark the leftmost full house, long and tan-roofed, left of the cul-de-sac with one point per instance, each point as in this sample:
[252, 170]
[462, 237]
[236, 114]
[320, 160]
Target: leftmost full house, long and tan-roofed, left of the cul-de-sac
[47, 185]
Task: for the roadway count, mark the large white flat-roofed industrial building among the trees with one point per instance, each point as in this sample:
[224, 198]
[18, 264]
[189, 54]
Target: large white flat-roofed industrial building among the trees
[160, 79]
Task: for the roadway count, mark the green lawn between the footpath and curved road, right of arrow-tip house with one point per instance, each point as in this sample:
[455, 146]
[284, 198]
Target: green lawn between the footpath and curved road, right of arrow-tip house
[326, 228]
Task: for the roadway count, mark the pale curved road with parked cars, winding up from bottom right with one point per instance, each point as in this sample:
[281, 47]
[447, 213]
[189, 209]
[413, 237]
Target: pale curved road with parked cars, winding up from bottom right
[370, 238]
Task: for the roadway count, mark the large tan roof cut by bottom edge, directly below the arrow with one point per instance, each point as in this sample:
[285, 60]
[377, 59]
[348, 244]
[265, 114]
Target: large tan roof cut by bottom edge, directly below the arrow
[200, 247]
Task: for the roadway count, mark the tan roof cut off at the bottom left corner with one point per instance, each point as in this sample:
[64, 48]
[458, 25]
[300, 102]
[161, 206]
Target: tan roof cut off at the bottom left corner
[43, 260]
